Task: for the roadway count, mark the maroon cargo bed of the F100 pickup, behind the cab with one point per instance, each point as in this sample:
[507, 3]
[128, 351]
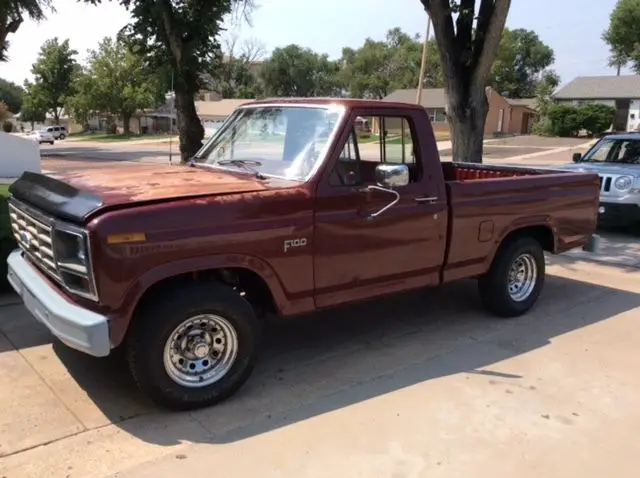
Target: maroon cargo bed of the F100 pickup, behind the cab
[486, 202]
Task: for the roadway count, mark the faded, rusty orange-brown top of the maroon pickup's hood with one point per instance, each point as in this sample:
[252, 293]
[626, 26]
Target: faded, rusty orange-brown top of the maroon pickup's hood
[118, 184]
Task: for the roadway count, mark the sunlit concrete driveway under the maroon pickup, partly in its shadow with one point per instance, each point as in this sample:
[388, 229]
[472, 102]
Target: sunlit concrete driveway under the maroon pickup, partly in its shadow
[425, 384]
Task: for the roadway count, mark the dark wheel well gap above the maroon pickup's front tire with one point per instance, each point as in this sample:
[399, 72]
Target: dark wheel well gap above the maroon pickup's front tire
[248, 284]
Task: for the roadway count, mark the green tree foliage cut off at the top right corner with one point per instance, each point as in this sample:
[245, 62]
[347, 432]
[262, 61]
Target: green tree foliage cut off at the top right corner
[623, 34]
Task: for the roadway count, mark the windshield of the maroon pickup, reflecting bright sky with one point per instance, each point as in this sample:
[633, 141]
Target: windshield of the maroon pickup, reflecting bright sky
[280, 141]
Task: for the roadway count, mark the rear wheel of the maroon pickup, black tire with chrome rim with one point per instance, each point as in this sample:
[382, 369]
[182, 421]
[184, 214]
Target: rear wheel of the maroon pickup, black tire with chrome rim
[514, 282]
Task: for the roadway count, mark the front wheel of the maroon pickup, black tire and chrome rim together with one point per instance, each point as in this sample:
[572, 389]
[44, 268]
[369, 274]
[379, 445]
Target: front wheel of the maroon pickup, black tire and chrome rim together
[194, 348]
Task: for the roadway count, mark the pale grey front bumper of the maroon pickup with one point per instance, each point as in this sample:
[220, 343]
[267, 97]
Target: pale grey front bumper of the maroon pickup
[75, 326]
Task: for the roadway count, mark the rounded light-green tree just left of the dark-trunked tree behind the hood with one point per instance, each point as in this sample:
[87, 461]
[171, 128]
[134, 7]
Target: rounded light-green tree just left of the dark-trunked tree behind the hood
[118, 82]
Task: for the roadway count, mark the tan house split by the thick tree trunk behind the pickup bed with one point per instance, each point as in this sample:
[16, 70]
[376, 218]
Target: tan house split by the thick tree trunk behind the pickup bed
[505, 116]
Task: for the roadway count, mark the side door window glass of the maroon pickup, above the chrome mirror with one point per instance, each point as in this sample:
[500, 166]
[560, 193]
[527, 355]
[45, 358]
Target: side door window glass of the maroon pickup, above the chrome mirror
[358, 159]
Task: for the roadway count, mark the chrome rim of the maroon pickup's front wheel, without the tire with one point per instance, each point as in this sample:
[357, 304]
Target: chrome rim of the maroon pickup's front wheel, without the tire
[200, 351]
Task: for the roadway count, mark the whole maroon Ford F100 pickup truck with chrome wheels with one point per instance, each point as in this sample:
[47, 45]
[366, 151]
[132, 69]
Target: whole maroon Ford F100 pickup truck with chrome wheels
[287, 209]
